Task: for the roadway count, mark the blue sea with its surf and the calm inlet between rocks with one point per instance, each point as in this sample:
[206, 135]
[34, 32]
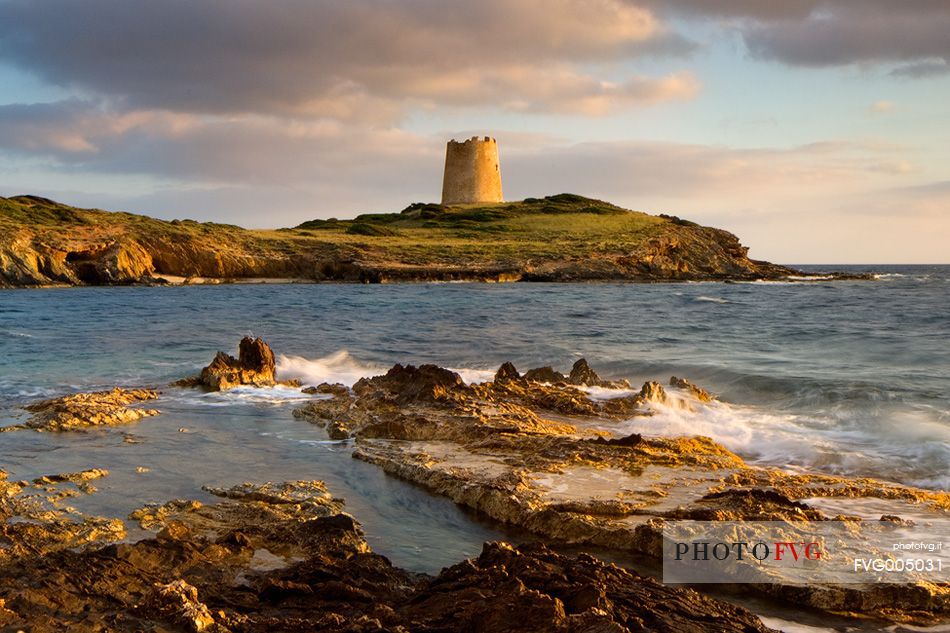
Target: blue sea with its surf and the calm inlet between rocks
[845, 377]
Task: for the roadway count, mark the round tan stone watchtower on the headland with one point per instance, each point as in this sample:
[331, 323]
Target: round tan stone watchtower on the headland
[472, 173]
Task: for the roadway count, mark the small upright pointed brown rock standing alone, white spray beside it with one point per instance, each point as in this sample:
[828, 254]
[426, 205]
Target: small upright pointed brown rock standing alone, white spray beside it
[255, 365]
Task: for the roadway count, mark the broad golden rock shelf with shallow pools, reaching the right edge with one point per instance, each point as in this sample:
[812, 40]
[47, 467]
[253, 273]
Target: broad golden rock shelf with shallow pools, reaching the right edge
[545, 451]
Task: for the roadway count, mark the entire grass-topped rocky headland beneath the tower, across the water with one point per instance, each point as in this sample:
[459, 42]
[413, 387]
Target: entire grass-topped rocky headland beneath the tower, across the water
[559, 238]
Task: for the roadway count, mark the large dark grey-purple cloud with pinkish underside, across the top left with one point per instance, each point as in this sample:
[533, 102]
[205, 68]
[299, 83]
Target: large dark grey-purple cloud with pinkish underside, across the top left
[342, 60]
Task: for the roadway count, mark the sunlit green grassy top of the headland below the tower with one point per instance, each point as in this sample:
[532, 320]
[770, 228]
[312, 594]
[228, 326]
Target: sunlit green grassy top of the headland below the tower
[564, 225]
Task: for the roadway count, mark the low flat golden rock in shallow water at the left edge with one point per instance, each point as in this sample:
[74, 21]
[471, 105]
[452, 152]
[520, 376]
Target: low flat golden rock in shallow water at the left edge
[83, 410]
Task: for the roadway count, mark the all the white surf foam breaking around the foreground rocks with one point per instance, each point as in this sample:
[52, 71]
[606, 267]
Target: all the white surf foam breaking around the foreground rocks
[903, 445]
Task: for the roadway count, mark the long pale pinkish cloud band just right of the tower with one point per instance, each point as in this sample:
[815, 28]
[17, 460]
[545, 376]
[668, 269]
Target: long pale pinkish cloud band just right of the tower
[651, 173]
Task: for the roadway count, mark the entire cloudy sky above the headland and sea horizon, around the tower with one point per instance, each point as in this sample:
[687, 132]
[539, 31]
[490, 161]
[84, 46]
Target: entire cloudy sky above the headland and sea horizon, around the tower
[818, 131]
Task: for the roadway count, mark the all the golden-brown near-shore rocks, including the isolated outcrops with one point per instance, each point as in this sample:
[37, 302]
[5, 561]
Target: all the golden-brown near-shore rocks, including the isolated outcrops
[537, 449]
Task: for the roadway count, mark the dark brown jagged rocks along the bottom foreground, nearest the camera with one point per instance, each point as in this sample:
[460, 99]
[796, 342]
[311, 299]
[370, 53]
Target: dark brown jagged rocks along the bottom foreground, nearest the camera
[286, 557]
